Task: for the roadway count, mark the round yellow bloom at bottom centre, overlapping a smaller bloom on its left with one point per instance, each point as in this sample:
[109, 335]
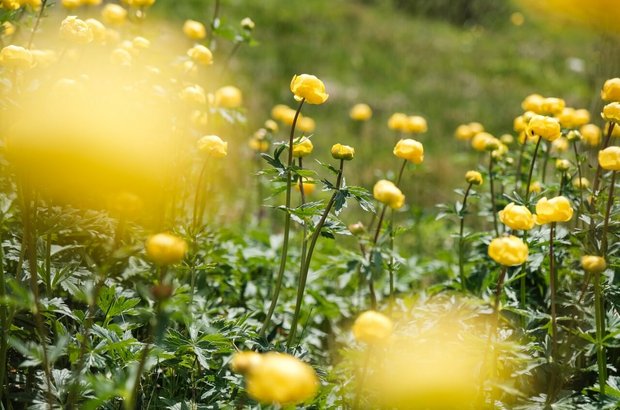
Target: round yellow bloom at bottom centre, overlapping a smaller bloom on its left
[281, 379]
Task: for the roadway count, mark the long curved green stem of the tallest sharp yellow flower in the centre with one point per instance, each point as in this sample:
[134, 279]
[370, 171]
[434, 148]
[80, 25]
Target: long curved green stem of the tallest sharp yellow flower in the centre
[287, 226]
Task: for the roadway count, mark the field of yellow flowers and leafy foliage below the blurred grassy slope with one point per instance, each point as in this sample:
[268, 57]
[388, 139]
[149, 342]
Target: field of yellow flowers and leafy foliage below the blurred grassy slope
[159, 251]
